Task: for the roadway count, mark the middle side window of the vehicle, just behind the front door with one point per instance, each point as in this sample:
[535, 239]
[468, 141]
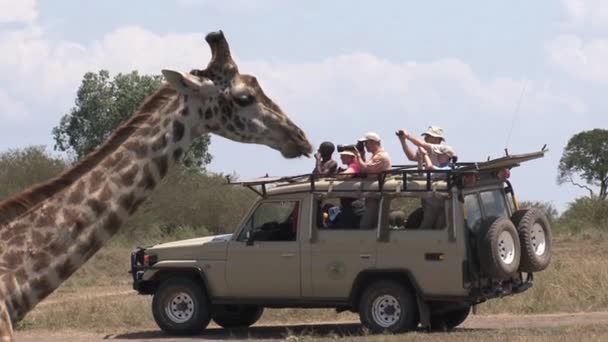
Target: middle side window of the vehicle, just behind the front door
[346, 213]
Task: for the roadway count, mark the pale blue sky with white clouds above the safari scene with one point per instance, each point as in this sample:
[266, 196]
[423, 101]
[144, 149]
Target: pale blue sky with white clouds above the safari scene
[493, 74]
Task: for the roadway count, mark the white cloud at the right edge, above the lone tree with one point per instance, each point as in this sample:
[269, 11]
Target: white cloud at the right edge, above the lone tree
[582, 60]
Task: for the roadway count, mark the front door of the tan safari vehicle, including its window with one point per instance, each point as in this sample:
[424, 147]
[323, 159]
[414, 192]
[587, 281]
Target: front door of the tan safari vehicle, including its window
[264, 259]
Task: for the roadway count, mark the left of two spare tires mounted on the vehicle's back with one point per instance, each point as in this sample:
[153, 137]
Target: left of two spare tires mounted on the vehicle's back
[499, 250]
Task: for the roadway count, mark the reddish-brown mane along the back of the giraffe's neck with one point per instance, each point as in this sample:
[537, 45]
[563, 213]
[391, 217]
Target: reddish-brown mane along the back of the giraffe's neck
[20, 203]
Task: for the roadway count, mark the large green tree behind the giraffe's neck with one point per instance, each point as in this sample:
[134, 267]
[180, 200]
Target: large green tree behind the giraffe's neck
[102, 104]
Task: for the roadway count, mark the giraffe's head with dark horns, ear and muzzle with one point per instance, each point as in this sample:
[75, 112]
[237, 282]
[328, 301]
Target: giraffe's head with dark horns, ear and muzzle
[233, 105]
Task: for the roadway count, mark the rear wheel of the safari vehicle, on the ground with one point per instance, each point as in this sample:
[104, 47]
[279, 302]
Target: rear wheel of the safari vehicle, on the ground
[387, 306]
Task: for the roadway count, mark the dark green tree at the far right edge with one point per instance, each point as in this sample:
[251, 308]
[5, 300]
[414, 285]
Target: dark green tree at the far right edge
[586, 158]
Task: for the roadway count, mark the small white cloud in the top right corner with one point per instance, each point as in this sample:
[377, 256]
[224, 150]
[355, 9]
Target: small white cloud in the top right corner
[586, 12]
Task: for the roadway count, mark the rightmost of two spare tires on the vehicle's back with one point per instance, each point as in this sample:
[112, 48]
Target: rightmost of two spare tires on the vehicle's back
[535, 238]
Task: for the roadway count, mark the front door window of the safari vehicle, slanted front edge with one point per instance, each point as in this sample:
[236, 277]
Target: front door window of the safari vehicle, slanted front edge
[273, 221]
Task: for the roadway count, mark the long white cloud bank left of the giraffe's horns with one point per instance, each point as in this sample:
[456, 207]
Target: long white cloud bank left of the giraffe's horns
[45, 69]
